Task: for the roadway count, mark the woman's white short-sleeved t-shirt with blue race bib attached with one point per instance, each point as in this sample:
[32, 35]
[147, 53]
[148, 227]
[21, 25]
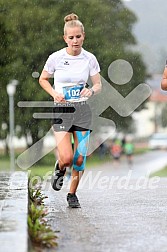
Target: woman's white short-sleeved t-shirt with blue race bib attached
[71, 73]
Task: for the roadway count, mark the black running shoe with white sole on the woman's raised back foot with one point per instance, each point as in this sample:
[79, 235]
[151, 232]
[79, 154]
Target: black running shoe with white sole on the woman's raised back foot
[57, 178]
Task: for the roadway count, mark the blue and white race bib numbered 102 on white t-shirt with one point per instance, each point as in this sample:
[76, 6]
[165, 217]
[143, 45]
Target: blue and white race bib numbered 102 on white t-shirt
[72, 92]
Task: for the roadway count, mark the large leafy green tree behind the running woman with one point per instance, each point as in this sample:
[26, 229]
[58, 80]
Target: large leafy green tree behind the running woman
[34, 29]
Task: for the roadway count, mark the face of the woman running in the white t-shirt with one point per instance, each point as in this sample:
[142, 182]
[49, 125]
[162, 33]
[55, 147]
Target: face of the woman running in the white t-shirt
[74, 38]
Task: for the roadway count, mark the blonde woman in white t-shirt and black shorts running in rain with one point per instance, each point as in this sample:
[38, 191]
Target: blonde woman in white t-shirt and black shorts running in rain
[71, 67]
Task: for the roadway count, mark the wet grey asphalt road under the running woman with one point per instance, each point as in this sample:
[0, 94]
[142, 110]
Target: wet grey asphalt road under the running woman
[122, 210]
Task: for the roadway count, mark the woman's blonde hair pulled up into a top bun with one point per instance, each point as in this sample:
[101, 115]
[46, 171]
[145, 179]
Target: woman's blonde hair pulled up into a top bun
[72, 20]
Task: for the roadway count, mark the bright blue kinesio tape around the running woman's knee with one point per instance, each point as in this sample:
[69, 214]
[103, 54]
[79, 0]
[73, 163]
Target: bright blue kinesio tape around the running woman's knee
[81, 149]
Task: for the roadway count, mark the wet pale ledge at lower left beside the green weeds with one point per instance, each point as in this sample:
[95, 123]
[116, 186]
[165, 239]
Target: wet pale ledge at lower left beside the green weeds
[13, 212]
